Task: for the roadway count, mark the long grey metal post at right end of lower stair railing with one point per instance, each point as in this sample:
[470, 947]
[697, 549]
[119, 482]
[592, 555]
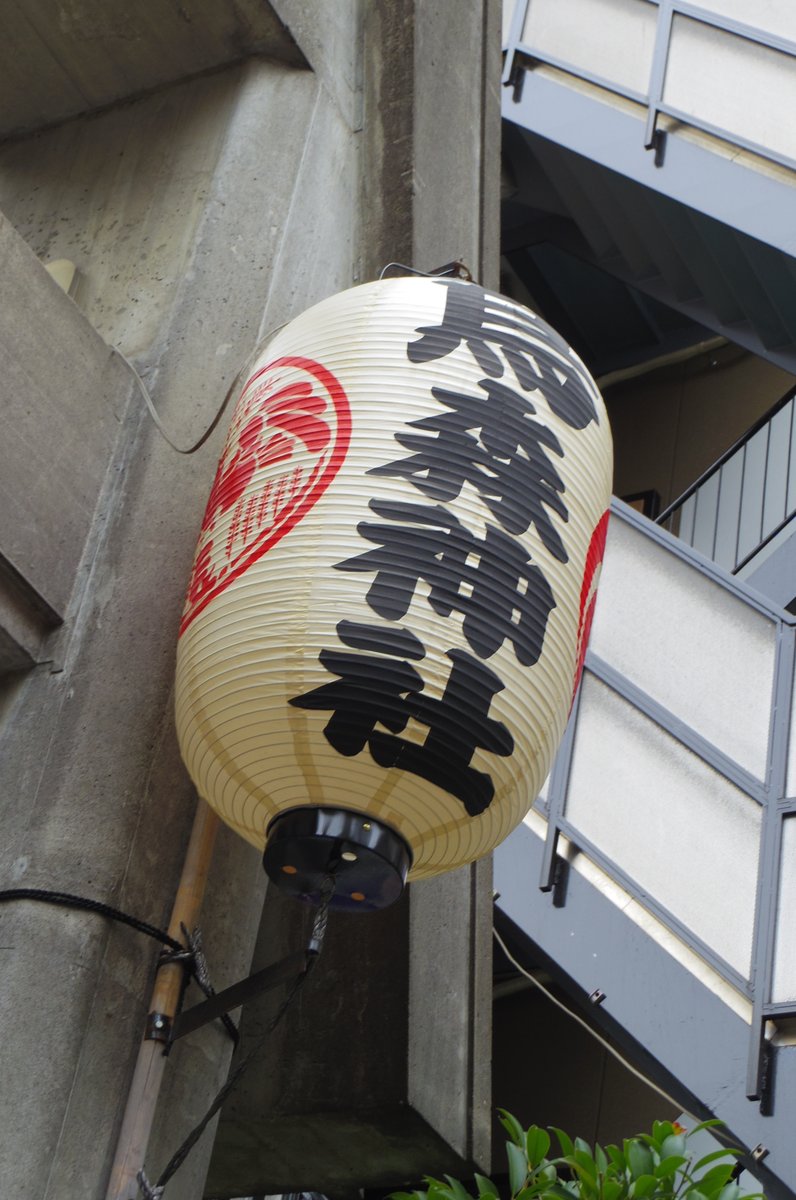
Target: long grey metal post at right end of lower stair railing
[765, 925]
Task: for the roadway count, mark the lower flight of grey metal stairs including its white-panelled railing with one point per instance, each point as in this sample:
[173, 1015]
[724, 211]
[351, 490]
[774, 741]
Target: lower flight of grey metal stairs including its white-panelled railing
[657, 872]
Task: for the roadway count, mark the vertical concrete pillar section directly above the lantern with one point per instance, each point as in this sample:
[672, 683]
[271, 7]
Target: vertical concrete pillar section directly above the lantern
[432, 187]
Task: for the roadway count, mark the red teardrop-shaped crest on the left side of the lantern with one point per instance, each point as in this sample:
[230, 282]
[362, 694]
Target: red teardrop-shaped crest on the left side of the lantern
[289, 439]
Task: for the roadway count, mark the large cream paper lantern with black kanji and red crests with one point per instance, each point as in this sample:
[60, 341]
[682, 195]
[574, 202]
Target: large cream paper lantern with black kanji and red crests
[393, 585]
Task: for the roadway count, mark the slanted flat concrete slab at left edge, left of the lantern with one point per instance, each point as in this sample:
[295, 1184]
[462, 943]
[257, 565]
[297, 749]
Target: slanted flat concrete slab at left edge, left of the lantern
[63, 397]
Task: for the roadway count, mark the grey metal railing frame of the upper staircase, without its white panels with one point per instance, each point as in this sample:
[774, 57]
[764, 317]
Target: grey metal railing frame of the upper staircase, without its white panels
[517, 51]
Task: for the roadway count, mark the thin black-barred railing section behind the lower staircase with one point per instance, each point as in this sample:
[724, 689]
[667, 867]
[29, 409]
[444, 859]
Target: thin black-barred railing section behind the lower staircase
[744, 501]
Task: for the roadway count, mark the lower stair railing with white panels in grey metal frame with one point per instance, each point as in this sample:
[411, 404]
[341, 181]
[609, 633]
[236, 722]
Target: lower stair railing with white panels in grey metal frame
[678, 775]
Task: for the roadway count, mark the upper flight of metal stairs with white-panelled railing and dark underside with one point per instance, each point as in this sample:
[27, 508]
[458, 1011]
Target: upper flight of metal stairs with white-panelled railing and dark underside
[695, 217]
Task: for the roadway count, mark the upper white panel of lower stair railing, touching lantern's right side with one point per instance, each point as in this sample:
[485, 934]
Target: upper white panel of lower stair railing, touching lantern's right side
[695, 647]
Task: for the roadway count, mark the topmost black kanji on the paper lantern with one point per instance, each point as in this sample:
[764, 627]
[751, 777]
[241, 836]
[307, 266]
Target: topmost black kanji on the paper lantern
[537, 355]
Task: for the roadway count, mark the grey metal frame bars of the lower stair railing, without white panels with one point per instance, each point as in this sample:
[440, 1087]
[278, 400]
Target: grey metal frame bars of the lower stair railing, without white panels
[769, 793]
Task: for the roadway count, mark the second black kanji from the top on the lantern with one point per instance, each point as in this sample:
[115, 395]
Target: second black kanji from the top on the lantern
[492, 442]
